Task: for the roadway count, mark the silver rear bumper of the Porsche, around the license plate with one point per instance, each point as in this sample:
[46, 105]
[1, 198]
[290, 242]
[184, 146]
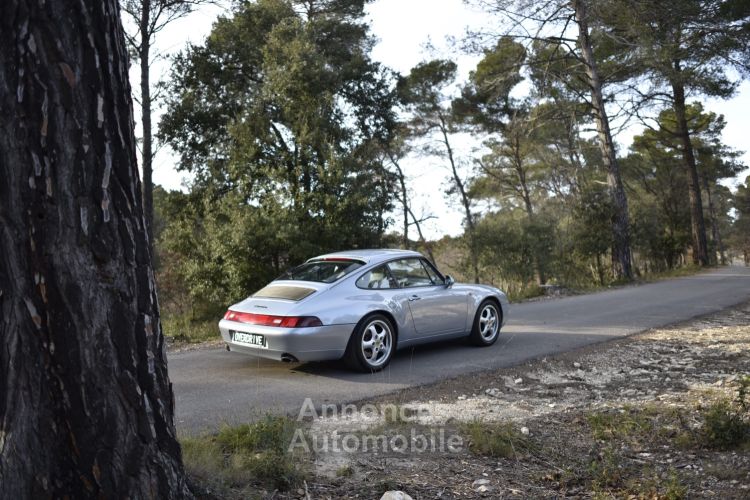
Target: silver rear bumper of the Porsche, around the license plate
[305, 344]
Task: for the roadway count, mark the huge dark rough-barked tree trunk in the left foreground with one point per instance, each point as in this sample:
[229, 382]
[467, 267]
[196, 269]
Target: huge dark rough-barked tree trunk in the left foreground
[86, 407]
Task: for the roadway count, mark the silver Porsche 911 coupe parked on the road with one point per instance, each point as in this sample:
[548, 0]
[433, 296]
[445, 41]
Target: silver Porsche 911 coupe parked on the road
[361, 305]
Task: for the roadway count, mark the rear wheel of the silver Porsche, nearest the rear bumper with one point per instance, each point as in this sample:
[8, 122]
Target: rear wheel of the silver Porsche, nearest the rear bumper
[372, 344]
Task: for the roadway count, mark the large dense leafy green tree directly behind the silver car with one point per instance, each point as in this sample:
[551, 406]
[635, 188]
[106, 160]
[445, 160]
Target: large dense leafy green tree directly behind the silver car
[280, 116]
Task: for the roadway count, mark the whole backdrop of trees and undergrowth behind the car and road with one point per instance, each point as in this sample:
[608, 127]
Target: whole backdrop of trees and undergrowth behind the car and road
[301, 146]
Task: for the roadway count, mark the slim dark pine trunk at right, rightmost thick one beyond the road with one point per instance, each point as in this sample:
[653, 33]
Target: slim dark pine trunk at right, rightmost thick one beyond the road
[697, 224]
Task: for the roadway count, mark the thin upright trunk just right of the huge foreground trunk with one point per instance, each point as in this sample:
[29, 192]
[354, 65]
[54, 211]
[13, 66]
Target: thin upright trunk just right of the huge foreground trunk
[147, 148]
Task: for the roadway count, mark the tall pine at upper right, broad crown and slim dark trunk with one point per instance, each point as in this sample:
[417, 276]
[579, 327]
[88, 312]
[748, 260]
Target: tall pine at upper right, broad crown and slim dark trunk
[686, 47]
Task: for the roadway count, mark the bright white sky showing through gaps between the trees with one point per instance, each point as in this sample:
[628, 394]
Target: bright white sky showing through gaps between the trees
[408, 32]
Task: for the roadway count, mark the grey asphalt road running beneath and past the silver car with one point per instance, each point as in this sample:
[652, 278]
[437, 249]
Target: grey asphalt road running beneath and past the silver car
[213, 386]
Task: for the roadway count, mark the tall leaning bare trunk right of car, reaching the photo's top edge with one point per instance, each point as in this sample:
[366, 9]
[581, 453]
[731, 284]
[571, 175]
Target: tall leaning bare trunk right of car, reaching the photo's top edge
[621, 254]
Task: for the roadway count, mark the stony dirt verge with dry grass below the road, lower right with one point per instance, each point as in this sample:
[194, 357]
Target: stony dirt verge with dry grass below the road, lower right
[624, 419]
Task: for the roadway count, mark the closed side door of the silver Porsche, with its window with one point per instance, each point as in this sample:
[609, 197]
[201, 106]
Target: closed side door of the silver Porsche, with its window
[435, 308]
